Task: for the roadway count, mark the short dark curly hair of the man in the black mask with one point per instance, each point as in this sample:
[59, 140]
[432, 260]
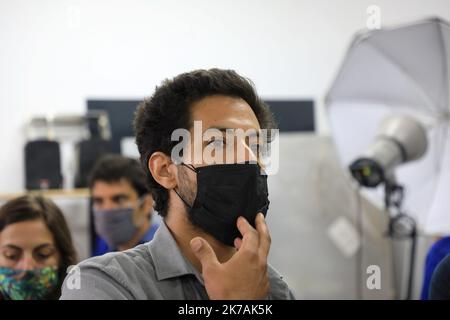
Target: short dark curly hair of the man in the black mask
[169, 109]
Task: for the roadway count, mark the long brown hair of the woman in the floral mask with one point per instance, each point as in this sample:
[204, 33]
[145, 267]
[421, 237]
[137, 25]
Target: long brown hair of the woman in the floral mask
[34, 207]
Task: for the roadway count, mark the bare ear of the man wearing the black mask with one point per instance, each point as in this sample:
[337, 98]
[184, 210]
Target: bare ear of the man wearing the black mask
[163, 170]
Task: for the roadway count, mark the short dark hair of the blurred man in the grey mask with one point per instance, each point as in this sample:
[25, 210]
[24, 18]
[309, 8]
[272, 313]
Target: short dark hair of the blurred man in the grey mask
[112, 168]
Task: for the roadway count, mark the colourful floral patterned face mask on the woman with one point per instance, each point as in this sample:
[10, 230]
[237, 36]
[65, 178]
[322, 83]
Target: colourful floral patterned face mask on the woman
[33, 284]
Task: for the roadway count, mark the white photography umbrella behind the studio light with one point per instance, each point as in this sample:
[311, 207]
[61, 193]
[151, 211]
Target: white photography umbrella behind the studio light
[400, 71]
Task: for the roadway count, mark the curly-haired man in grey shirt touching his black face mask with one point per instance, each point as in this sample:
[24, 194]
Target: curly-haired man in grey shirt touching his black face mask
[214, 241]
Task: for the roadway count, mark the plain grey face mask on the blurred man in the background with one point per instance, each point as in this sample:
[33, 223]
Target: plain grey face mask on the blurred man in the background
[115, 226]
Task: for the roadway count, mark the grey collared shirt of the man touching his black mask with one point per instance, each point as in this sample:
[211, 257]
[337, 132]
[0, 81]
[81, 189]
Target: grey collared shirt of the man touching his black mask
[153, 270]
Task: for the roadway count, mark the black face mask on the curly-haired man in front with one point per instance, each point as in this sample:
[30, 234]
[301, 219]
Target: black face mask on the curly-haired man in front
[224, 193]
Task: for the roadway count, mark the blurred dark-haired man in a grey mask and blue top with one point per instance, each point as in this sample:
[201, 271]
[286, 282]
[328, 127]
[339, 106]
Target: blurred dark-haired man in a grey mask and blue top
[122, 207]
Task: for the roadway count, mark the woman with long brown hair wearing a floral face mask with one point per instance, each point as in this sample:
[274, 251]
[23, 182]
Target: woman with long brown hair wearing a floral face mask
[35, 249]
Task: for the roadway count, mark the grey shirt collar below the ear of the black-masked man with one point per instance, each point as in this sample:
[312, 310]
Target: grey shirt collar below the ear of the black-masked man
[168, 260]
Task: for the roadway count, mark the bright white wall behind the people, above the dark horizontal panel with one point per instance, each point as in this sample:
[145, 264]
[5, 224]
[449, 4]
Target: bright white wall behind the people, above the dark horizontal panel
[54, 54]
